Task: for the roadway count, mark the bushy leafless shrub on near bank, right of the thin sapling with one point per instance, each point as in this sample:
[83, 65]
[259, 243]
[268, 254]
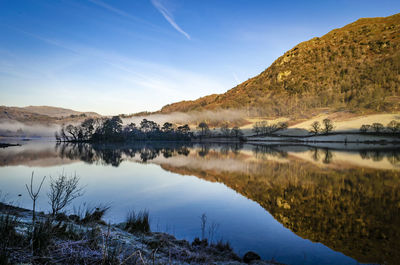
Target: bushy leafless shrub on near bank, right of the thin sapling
[63, 190]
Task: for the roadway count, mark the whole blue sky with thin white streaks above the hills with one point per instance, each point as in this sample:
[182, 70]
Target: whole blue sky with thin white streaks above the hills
[125, 56]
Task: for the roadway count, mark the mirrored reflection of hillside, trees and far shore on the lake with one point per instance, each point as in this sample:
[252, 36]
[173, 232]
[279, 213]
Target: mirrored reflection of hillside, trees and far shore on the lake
[349, 200]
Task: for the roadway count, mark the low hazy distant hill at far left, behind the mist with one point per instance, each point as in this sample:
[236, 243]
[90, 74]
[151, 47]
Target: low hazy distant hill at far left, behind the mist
[42, 115]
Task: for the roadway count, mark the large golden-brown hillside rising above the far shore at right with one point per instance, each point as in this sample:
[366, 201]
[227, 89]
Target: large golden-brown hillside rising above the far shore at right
[354, 68]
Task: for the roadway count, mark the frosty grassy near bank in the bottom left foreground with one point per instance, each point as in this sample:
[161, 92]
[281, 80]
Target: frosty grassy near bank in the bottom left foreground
[73, 242]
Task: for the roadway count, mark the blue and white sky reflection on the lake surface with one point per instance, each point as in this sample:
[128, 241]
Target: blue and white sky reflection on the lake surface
[176, 203]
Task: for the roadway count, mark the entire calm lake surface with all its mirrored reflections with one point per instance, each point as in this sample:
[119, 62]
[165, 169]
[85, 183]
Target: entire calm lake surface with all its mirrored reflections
[293, 204]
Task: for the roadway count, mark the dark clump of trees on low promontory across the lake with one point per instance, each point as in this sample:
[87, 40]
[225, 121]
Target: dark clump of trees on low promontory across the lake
[113, 129]
